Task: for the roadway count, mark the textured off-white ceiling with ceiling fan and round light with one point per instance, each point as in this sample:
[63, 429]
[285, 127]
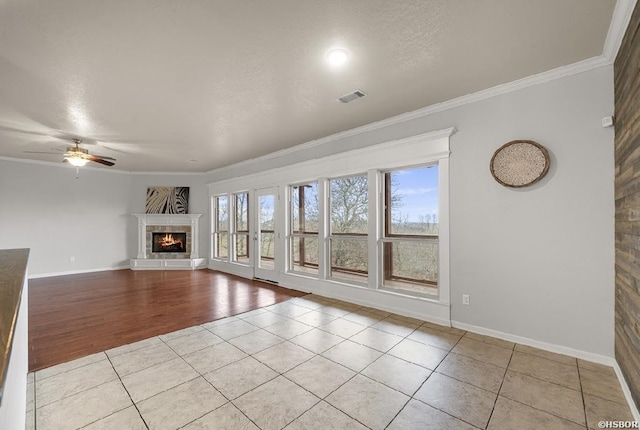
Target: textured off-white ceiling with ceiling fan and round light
[190, 86]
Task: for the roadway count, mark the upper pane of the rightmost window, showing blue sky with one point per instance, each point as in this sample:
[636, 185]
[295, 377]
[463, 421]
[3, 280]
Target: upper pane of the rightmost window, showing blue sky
[412, 195]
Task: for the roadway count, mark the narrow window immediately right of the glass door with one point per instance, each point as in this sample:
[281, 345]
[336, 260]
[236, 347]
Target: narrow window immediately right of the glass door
[303, 256]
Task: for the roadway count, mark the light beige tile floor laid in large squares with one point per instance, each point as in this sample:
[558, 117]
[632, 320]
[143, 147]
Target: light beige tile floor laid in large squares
[317, 363]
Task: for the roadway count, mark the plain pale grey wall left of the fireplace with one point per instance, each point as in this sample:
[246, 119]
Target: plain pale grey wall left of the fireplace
[45, 208]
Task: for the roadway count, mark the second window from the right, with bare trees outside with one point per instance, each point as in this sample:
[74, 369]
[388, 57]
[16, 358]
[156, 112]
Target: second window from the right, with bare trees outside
[348, 248]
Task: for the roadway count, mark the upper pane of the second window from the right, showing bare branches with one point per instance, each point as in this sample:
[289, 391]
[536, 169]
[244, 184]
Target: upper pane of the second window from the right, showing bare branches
[349, 205]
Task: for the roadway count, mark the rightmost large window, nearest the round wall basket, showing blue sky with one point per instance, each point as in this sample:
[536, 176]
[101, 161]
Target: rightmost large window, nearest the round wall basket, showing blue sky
[410, 243]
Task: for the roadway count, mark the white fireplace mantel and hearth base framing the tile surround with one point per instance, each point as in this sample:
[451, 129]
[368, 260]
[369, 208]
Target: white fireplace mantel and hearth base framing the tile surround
[145, 261]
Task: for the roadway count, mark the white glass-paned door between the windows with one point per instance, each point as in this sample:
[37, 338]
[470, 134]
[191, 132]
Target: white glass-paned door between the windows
[265, 237]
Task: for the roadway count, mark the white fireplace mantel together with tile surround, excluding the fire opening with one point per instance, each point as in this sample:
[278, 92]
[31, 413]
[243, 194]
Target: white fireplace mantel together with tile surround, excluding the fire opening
[167, 223]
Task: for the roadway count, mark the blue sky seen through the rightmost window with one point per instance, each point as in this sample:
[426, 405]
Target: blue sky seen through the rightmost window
[419, 190]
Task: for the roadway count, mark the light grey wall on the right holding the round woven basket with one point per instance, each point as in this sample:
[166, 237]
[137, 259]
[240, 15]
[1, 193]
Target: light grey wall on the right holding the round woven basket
[538, 262]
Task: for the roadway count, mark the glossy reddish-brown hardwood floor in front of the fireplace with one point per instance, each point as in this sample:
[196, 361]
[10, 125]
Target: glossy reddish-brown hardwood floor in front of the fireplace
[77, 315]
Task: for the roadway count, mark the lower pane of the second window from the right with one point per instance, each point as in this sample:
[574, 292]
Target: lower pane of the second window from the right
[349, 259]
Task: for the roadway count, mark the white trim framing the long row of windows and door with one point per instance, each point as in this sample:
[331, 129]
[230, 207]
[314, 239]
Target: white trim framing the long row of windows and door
[427, 148]
